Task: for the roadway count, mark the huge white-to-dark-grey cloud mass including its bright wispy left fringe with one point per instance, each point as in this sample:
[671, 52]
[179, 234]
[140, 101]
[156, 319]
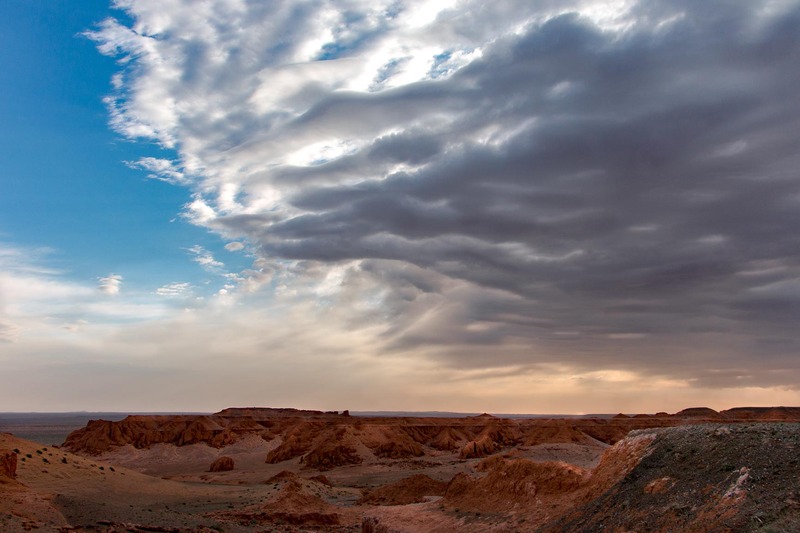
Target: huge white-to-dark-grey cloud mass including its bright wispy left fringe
[582, 184]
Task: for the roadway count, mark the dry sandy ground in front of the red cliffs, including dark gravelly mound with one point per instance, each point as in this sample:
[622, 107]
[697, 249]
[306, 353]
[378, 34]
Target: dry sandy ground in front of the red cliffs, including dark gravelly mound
[721, 477]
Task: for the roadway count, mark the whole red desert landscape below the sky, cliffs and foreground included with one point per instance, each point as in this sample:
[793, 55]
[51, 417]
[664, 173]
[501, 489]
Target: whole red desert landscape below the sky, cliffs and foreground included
[263, 469]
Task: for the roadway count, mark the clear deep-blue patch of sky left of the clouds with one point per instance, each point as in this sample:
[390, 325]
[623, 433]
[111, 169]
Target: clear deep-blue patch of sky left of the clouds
[66, 185]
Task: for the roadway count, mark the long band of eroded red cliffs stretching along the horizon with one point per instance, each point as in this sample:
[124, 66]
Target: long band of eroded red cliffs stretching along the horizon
[328, 440]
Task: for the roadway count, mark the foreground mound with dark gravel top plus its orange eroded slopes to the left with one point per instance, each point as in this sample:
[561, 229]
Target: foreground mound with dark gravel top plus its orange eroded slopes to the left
[699, 478]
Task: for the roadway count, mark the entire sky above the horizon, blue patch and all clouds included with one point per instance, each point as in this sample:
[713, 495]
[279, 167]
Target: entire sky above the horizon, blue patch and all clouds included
[514, 207]
